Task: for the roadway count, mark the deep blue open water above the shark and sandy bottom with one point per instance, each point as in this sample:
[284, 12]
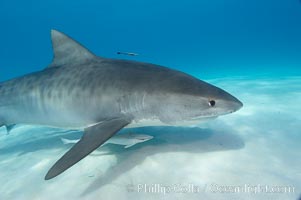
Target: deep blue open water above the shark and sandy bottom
[209, 38]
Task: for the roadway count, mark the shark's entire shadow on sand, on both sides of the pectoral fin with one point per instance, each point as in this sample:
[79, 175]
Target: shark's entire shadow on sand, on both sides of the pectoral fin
[24, 139]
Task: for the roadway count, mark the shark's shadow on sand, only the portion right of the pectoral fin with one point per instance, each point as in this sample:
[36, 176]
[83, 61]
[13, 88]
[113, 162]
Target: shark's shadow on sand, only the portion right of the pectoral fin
[166, 139]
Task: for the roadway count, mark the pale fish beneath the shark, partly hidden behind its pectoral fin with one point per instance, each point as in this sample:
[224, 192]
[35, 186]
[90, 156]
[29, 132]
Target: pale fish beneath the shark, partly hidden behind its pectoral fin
[127, 139]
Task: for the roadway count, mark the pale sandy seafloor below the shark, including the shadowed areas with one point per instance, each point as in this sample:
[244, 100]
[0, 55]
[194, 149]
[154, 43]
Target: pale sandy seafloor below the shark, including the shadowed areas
[258, 145]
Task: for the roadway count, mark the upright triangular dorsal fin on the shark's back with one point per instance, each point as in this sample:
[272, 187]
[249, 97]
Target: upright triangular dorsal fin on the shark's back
[66, 50]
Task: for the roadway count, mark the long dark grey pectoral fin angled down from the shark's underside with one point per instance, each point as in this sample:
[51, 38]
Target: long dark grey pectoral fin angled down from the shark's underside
[94, 137]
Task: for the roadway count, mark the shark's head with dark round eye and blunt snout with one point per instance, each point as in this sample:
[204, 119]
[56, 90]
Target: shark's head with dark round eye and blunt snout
[183, 98]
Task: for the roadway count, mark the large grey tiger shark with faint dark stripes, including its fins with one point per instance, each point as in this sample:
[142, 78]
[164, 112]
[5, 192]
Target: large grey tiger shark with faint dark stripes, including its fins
[101, 96]
